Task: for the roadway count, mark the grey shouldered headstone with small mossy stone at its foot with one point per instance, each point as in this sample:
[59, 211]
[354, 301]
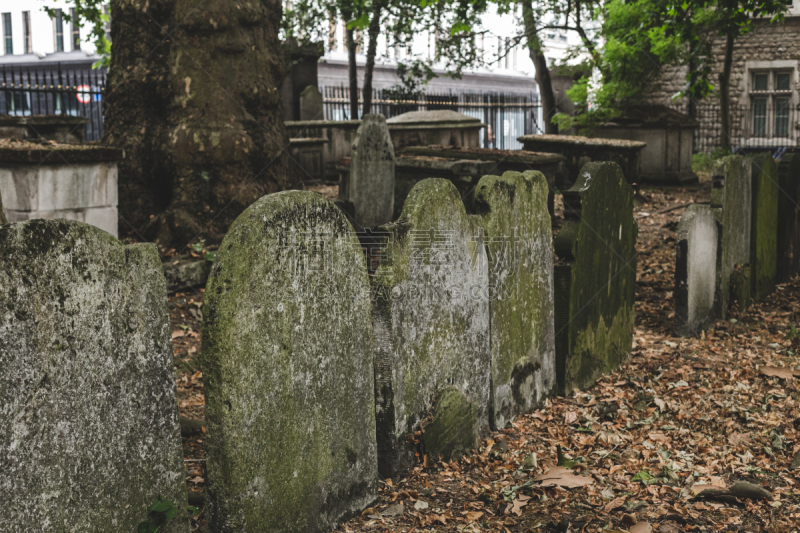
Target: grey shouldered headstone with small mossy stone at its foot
[431, 323]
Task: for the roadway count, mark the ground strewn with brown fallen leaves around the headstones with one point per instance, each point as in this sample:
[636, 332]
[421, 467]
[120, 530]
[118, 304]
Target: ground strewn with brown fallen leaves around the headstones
[718, 411]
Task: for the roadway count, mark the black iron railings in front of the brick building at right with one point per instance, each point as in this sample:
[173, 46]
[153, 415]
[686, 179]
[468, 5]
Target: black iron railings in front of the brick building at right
[764, 124]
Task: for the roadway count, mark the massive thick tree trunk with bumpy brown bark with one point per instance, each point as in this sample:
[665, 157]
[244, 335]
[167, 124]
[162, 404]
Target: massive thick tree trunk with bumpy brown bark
[197, 109]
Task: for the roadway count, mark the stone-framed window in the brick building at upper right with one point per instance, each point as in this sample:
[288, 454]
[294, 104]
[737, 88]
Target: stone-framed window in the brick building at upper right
[771, 102]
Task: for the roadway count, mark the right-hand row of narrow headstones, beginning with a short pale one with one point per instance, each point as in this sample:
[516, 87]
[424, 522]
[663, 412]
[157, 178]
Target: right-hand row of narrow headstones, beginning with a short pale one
[737, 248]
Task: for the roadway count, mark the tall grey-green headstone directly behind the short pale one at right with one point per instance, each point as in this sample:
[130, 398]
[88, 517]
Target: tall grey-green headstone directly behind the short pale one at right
[731, 195]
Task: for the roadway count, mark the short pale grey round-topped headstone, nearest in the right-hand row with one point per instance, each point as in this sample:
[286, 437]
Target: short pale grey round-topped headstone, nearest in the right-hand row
[695, 269]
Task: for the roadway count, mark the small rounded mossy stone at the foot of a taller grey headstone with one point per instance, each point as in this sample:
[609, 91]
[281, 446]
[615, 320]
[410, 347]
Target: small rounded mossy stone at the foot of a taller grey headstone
[453, 431]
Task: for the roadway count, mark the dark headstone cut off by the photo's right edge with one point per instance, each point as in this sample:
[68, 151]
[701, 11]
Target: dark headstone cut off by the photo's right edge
[788, 219]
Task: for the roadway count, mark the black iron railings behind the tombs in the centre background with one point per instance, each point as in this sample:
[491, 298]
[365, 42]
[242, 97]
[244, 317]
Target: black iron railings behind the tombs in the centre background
[507, 116]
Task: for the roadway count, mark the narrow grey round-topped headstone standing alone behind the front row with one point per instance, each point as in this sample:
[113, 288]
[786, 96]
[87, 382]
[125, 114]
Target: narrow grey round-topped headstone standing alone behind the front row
[370, 186]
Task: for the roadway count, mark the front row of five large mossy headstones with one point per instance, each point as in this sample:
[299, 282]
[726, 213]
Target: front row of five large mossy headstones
[314, 377]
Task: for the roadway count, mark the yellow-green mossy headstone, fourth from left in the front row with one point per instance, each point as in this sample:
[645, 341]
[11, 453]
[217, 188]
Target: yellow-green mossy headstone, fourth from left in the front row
[518, 238]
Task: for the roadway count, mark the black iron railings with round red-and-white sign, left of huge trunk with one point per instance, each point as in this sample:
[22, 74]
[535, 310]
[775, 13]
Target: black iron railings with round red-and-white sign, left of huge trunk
[55, 90]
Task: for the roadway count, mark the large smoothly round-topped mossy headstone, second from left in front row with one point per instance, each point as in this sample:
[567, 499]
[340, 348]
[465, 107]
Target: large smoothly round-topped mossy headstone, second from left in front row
[287, 366]
